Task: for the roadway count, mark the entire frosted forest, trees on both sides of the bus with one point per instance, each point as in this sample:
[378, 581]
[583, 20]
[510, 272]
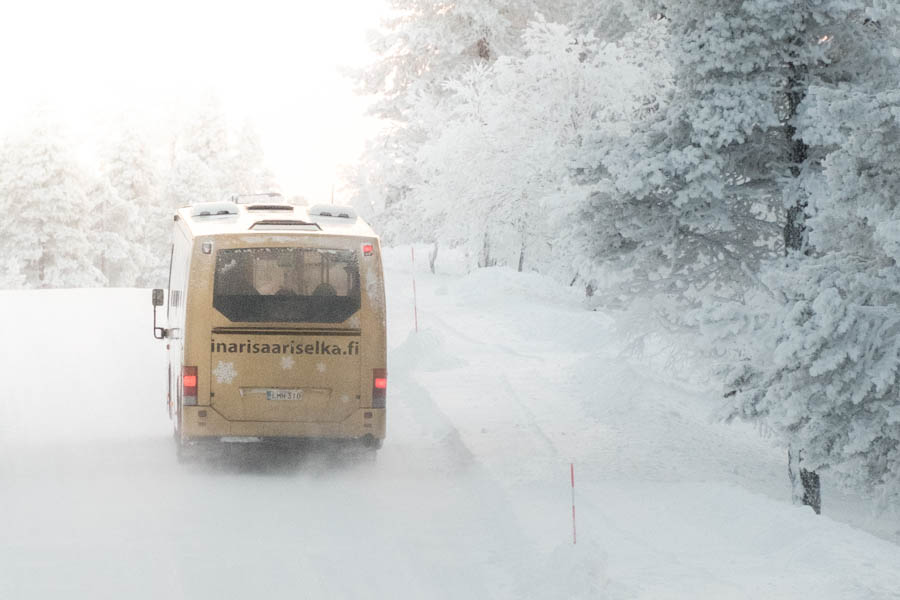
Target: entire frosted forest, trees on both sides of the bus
[723, 174]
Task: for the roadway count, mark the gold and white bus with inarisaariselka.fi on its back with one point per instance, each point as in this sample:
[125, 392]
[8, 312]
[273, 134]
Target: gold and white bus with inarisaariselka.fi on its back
[275, 325]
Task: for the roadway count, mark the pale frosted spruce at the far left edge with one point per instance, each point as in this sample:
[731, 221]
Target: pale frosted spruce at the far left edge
[44, 195]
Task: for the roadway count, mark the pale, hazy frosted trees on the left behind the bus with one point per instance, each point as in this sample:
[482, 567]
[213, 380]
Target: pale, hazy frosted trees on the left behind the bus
[105, 220]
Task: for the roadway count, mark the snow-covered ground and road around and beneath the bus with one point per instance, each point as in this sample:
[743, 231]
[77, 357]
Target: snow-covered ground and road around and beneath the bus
[507, 382]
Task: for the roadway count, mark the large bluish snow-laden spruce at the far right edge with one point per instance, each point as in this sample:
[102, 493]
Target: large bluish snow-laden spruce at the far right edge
[820, 360]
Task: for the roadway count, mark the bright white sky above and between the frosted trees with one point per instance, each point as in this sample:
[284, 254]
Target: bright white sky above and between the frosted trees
[274, 63]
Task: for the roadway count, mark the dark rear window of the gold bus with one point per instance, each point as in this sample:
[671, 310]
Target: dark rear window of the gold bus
[287, 285]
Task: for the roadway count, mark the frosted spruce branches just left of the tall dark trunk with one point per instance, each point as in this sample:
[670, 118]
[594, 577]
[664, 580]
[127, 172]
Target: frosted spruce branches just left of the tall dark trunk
[685, 201]
